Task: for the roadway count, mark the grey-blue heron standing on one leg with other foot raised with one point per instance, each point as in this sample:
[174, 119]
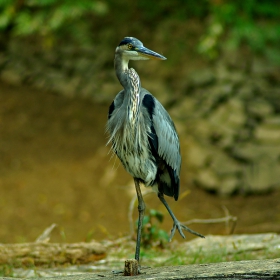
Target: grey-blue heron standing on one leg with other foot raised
[143, 135]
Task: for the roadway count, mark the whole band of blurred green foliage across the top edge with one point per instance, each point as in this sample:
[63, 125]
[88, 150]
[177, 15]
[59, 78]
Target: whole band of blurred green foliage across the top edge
[229, 24]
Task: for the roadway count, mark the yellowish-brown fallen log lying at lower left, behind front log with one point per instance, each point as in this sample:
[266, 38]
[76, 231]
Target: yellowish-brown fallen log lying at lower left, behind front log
[41, 253]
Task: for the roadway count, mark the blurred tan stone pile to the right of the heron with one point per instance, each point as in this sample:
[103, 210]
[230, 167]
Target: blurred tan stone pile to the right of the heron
[230, 124]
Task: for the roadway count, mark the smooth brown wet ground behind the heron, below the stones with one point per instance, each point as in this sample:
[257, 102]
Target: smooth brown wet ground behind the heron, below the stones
[55, 168]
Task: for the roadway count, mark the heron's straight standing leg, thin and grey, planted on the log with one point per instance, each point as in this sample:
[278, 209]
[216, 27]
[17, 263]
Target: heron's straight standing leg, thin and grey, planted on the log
[141, 210]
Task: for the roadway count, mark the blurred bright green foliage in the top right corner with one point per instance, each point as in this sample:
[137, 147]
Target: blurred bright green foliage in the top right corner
[253, 24]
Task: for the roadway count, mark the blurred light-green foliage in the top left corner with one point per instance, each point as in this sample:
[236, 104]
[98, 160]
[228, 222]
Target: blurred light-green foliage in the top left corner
[49, 19]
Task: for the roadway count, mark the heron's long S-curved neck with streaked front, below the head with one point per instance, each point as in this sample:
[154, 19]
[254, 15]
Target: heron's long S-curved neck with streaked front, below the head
[130, 81]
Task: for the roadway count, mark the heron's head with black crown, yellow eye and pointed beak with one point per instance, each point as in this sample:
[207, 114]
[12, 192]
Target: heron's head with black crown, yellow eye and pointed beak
[131, 48]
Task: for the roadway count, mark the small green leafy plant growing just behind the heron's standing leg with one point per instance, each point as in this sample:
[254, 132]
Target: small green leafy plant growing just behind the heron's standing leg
[152, 235]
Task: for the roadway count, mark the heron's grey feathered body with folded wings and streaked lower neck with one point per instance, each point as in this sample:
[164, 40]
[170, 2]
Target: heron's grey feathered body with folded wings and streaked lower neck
[145, 139]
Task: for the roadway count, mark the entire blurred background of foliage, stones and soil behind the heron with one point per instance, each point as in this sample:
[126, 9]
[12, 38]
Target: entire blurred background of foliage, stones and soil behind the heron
[220, 83]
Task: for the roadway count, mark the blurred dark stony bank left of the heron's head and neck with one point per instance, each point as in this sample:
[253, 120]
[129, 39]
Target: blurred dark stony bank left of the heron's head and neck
[65, 69]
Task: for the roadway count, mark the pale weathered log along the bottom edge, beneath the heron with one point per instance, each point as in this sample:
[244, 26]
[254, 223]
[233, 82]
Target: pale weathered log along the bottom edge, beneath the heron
[257, 270]
